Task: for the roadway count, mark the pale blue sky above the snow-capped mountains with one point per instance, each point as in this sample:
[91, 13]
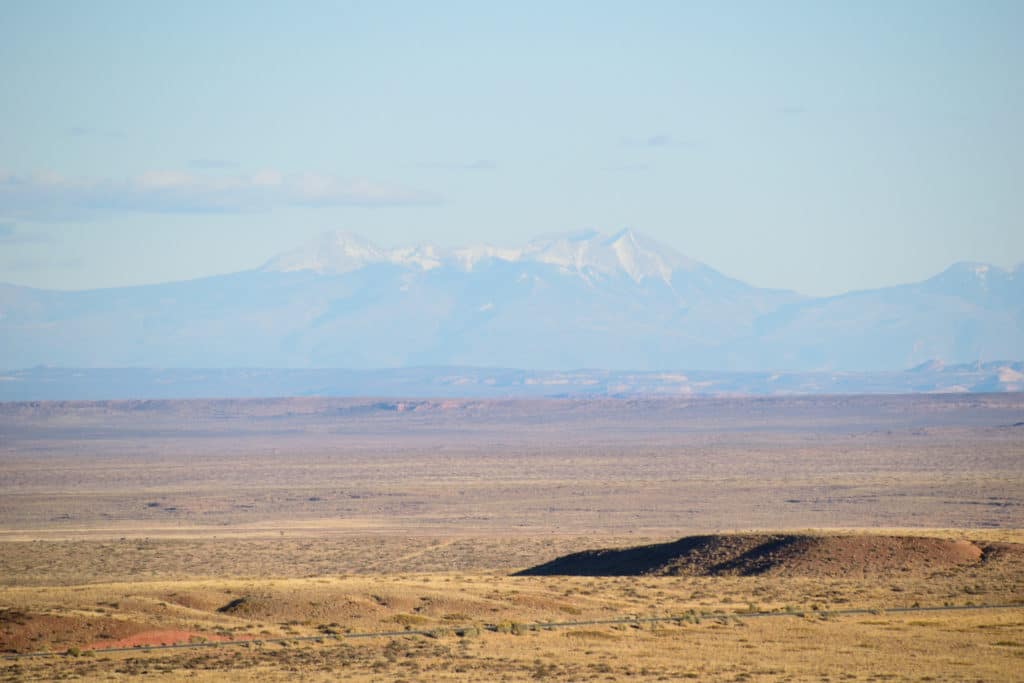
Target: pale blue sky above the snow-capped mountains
[821, 147]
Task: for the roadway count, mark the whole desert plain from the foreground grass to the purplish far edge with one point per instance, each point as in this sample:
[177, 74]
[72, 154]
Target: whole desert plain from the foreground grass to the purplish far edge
[825, 539]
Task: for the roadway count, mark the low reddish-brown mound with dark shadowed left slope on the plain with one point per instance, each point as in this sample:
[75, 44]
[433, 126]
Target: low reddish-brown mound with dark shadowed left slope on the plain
[781, 554]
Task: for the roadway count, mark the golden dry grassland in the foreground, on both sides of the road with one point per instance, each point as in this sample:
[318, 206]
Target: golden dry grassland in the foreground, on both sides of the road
[716, 647]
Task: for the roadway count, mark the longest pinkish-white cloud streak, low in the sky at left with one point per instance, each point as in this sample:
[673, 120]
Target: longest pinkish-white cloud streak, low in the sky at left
[46, 196]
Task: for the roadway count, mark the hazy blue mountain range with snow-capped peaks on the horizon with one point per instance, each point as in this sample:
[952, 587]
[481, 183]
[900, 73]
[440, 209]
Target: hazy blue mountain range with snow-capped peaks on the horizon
[621, 304]
